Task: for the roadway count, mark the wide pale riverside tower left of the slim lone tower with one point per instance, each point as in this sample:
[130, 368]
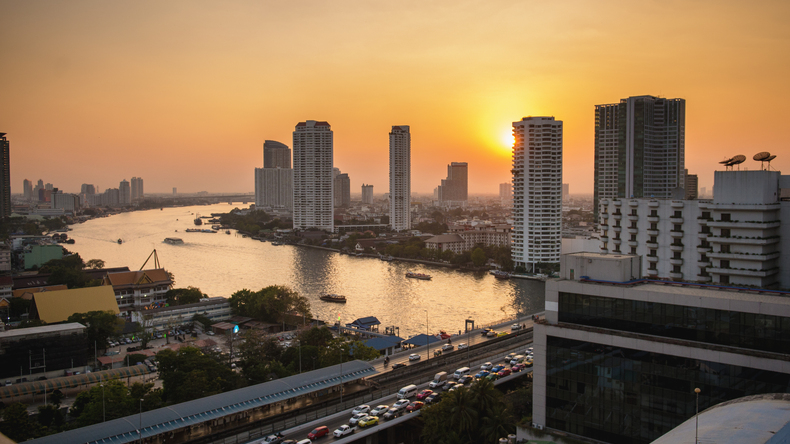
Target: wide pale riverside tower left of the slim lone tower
[313, 196]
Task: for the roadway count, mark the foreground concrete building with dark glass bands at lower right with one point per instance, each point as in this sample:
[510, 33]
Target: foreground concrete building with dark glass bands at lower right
[617, 360]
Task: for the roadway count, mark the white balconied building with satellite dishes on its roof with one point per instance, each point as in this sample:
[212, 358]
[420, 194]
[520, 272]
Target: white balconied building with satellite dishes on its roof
[741, 237]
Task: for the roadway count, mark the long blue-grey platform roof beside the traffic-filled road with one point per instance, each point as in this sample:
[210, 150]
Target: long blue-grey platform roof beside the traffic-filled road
[178, 416]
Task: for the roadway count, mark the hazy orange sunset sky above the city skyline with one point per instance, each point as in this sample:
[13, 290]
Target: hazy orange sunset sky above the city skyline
[183, 93]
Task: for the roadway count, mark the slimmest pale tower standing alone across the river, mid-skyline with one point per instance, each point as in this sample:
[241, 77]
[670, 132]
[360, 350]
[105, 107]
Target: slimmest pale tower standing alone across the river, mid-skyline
[400, 178]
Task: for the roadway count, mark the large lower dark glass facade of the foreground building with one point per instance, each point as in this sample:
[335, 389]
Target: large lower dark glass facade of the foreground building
[620, 395]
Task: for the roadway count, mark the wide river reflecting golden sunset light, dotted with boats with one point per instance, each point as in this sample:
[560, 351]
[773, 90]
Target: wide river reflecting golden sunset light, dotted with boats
[220, 264]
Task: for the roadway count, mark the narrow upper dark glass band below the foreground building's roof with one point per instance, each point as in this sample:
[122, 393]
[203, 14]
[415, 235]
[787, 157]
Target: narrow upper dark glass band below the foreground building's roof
[721, 327]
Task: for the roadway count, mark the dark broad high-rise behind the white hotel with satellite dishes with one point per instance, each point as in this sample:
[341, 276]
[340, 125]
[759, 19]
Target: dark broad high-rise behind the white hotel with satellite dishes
[639, 148]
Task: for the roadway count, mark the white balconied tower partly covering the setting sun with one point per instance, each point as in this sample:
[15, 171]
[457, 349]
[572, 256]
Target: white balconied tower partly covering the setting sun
[537, 191]
